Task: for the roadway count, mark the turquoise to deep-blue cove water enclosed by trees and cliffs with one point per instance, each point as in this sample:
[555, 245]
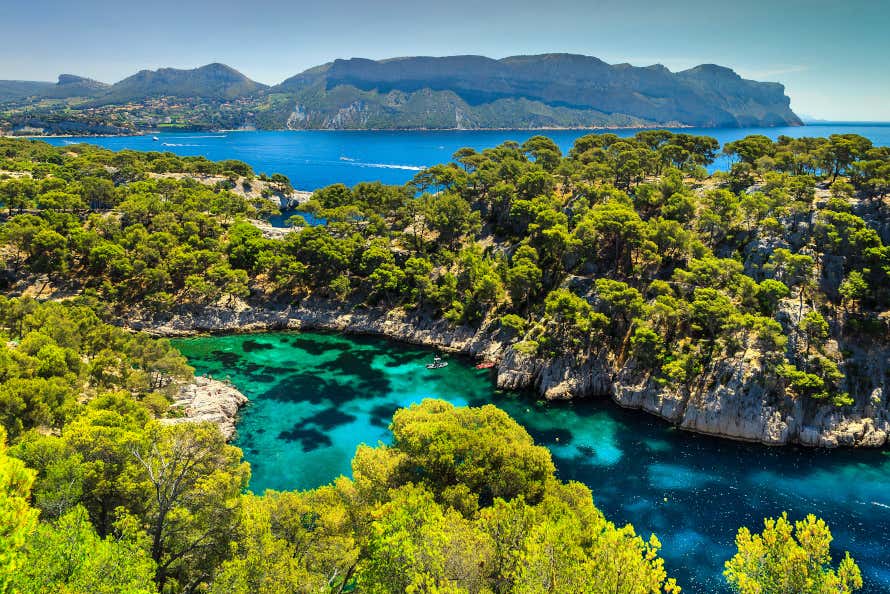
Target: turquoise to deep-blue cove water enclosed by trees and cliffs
[314, 397]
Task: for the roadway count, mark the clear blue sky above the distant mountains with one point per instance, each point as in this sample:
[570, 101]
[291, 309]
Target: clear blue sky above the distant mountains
[832, 56]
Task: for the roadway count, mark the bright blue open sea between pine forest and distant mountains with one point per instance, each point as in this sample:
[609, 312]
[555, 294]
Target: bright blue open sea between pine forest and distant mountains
[314, 159]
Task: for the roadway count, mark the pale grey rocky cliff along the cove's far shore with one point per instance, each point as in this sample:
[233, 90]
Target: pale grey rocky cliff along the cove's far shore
[733, 397]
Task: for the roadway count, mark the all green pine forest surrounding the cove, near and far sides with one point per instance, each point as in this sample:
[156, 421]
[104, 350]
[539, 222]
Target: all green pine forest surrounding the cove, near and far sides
[624, 250]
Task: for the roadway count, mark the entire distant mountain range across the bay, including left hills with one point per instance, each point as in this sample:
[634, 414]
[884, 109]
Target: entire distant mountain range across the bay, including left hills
[463, 92]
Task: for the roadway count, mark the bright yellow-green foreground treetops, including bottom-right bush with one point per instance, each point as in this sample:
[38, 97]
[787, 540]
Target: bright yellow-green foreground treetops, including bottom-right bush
[420, 515]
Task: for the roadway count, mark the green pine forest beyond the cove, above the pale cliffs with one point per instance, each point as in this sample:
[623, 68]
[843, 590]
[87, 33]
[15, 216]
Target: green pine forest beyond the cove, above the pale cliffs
[624, 248]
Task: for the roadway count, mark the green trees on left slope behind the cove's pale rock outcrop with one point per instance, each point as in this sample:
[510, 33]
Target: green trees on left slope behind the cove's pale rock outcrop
[54, 355]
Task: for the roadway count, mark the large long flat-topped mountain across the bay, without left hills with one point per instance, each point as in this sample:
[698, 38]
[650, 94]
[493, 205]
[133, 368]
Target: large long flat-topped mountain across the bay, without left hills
[559, 90]
